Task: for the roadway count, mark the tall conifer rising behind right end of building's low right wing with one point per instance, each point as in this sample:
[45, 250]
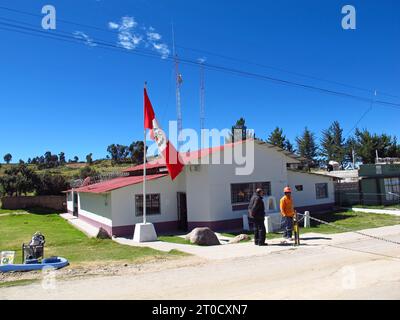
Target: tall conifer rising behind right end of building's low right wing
[332, 146]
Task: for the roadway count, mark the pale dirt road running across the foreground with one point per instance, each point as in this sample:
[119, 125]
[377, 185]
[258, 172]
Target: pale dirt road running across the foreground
[345, 267]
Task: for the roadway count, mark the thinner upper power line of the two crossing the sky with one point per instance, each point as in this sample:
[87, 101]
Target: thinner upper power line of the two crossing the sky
[217, 55]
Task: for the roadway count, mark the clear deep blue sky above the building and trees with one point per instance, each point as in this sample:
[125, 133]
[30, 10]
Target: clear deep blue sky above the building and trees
[79, 98]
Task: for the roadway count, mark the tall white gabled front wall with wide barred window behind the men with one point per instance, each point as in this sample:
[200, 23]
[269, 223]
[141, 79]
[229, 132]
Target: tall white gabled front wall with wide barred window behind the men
[213, 185]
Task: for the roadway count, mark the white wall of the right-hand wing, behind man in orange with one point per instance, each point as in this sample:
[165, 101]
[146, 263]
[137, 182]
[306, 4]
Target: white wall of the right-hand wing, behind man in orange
[308, 196]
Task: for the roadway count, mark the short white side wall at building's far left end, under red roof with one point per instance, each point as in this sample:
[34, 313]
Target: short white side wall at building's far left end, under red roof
[95, 206]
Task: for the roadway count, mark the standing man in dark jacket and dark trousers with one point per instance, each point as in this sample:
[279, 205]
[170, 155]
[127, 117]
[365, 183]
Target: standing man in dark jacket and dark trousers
[257, 213]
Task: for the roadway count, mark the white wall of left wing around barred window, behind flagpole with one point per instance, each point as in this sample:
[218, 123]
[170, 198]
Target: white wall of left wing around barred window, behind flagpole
[123, 201]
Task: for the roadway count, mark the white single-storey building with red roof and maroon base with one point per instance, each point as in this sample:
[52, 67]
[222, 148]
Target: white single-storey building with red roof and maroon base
[203, 194]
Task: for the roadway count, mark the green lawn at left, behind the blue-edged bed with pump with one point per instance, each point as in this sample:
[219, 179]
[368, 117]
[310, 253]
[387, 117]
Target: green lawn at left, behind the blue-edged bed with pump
[64, 240]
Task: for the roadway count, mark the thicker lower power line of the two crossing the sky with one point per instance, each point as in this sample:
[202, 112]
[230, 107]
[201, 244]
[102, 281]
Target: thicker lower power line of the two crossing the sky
[57, 36]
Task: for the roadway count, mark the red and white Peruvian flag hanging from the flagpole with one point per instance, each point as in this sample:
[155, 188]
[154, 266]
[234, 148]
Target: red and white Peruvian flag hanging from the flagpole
[166, 149]
